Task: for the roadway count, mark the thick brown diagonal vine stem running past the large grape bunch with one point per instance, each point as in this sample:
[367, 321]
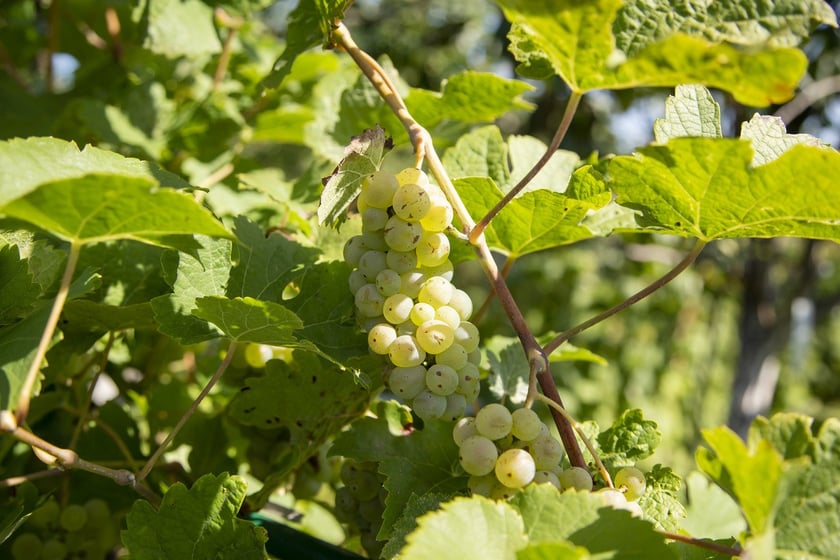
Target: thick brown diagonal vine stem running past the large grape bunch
[424, 148]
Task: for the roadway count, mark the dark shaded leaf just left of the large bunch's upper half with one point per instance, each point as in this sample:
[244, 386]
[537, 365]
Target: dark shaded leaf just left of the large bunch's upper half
[265, 264]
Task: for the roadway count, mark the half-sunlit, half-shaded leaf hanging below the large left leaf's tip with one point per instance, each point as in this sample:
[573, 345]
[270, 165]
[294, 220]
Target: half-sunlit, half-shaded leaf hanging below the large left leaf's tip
[192, 278]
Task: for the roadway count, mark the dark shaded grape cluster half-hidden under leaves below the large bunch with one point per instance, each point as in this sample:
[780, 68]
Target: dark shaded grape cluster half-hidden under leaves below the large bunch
[361, 502]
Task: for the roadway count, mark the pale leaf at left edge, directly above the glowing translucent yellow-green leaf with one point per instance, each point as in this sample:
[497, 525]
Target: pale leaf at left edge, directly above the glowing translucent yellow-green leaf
[48, 160]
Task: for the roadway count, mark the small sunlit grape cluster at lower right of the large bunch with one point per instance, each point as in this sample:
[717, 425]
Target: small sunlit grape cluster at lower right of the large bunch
[504, 452]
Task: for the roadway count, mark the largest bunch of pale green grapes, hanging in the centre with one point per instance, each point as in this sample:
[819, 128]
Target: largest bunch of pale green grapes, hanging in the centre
[404, 296]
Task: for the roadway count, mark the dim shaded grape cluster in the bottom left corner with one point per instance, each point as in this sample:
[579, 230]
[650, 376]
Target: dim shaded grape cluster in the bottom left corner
[86, 531]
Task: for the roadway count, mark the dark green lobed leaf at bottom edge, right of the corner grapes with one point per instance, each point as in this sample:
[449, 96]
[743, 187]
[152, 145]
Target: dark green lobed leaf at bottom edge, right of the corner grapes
[200, 522]
